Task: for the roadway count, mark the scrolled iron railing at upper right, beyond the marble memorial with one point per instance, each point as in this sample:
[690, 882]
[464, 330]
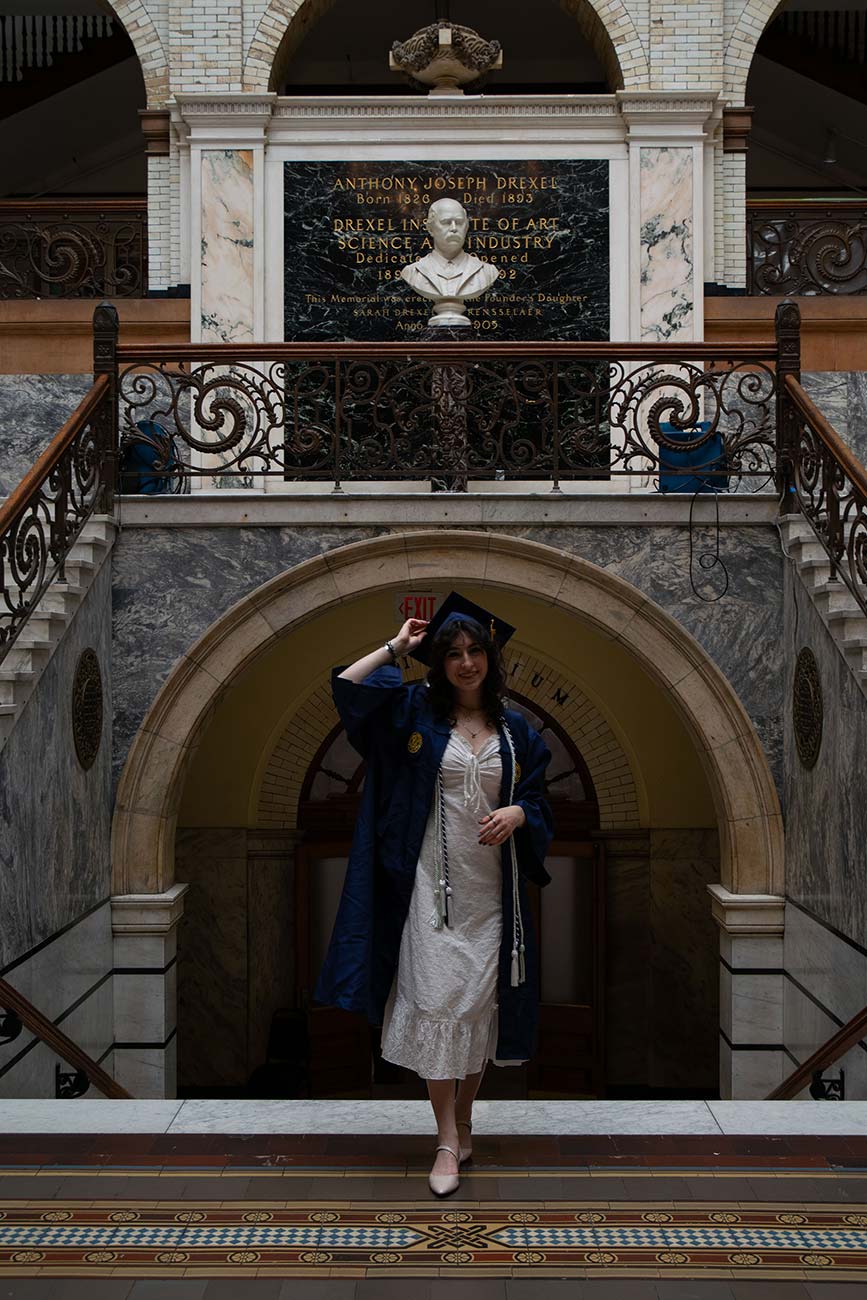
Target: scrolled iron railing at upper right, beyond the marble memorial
[807, 248]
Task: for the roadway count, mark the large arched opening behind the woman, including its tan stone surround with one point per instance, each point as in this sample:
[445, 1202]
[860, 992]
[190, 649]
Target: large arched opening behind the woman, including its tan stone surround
[224, 769]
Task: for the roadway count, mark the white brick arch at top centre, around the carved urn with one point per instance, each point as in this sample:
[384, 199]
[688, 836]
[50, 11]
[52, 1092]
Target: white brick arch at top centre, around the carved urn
[605, 24]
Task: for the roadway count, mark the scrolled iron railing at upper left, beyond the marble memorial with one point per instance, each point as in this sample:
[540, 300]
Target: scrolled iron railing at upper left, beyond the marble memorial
[73, 249]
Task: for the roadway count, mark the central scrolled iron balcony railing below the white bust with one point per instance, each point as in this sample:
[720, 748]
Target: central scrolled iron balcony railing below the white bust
[682, 417]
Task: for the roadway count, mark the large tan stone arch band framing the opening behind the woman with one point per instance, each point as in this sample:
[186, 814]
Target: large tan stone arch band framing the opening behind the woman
[735, 764]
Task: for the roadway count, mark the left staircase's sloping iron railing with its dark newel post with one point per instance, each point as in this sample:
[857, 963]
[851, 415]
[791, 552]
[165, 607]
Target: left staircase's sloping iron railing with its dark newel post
[71, 482]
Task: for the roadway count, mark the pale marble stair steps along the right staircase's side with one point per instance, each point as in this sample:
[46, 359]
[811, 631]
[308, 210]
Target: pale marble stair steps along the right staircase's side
[833, 599]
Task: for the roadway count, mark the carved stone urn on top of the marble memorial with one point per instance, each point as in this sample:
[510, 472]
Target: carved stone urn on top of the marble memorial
[445, 58]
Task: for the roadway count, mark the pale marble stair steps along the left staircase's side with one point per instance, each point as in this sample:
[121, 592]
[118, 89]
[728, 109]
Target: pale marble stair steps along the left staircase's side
[23, 668]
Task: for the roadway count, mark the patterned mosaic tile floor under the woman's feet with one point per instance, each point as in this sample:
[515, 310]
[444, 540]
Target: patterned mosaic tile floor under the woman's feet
[710, 1214]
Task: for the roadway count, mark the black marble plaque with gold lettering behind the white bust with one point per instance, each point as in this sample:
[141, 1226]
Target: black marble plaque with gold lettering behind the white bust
[352, 227]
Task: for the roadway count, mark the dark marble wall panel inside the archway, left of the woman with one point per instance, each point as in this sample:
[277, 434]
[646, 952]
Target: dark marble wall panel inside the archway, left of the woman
[213, 959]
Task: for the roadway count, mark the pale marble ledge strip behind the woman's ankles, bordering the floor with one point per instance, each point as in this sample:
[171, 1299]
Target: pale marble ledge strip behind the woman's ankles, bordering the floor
[414, 1117]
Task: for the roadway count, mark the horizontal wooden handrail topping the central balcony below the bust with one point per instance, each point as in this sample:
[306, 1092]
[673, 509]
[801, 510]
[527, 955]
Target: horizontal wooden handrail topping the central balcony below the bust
[446, 352]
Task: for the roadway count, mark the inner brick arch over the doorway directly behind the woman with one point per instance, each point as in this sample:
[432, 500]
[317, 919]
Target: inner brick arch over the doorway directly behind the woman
[300, 736]
